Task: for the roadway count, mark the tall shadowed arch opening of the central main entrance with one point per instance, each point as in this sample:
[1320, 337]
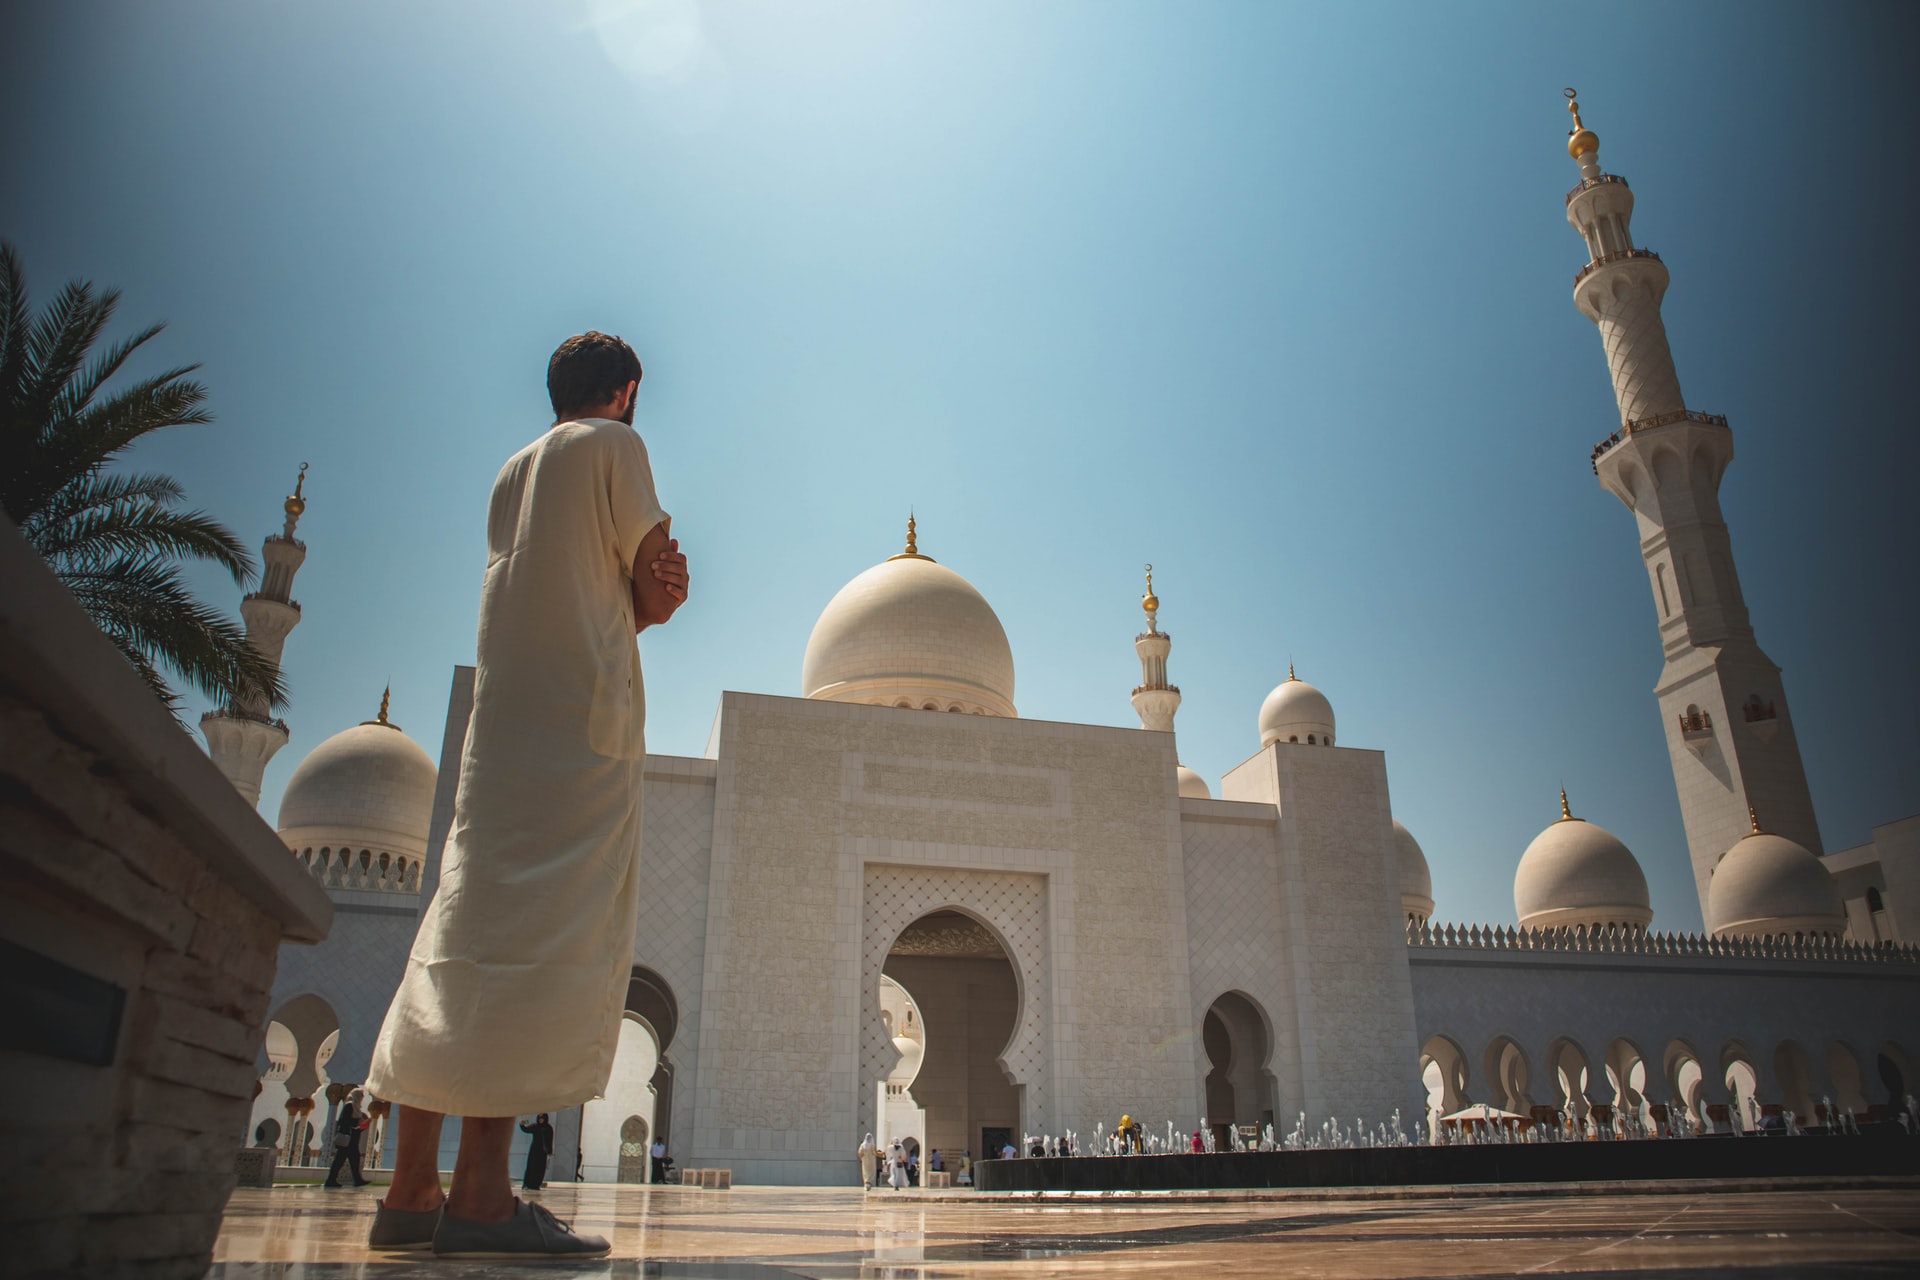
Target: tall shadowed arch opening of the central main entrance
[965, 993]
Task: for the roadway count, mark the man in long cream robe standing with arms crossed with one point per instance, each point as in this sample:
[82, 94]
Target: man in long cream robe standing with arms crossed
[514, 995]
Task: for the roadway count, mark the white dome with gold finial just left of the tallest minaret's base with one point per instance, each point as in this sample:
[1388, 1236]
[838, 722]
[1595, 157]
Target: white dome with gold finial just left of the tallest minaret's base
[1579, 874]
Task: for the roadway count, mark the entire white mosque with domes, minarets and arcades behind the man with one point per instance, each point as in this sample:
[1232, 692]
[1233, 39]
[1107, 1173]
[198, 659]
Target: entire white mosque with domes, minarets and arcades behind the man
[890, 905]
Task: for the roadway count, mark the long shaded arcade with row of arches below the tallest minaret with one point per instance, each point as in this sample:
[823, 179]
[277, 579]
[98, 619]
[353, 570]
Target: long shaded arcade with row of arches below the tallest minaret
[1637, 1028]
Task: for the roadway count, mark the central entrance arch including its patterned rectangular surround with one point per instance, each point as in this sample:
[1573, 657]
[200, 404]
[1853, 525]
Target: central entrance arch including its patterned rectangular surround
[982, 913]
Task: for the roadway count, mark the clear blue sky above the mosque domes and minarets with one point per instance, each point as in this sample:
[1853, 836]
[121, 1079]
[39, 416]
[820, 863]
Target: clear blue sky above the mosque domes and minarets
[1276, 298]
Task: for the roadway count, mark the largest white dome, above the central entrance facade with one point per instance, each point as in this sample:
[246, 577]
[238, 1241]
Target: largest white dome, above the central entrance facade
[911, 632]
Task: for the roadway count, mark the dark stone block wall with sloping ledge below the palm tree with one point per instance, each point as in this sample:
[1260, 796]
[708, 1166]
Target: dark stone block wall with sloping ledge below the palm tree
[141, 913]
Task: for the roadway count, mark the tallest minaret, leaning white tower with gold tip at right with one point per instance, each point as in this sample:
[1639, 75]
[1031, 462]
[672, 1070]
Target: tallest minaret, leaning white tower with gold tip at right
[1725, 707]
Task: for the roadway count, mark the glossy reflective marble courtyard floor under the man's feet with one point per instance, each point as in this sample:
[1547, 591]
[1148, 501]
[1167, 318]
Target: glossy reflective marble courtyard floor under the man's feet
[761, 1233]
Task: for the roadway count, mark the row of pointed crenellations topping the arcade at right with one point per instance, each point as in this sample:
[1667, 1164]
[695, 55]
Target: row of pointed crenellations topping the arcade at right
[1616, 941]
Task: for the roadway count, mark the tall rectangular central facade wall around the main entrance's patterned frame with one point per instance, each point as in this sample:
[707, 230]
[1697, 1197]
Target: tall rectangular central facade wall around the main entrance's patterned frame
[813, 795]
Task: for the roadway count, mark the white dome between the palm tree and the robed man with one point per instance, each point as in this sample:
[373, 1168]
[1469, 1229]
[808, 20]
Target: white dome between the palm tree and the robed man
[370, 786]
